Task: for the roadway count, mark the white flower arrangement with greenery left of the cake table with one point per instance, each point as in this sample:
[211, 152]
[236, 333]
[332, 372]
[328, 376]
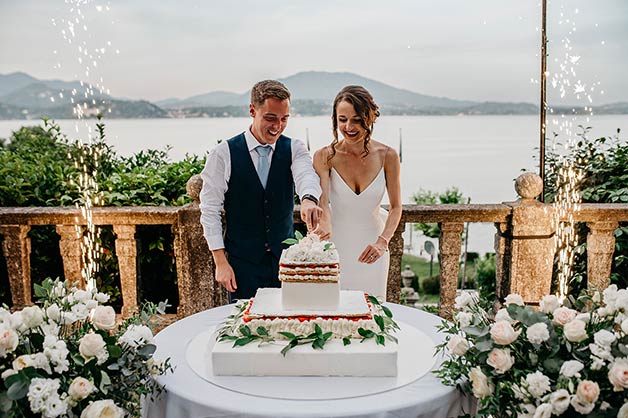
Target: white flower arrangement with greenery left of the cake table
[66, 357]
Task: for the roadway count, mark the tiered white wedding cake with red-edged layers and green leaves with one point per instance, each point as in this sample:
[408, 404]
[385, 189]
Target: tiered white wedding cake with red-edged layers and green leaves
[308, 327]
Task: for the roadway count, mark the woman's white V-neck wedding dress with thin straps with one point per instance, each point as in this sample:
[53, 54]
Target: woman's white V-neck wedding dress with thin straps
[357, 220]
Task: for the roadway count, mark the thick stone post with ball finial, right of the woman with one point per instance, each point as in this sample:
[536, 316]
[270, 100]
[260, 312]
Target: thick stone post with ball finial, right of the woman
[531, 242]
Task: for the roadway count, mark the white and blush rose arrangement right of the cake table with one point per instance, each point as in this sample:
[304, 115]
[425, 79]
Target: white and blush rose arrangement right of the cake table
[556, 360]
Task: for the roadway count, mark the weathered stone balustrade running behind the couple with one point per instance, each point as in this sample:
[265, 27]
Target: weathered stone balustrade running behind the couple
[523, 246]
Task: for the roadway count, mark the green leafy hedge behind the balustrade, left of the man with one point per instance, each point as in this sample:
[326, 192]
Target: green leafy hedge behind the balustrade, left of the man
[37, 168]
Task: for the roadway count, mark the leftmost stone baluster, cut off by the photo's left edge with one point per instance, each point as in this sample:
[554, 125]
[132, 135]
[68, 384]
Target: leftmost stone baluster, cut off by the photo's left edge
[16, 247]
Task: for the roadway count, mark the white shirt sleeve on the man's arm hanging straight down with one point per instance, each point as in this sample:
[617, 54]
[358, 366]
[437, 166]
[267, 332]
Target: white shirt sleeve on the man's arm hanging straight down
[215, 177]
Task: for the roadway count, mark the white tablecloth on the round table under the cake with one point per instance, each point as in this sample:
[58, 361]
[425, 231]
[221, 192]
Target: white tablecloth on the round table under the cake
[189, 396]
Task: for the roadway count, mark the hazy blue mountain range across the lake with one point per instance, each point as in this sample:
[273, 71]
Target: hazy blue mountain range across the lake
[25, 97]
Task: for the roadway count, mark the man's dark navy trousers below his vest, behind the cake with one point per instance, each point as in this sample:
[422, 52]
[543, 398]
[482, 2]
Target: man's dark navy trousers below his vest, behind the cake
[251, 276]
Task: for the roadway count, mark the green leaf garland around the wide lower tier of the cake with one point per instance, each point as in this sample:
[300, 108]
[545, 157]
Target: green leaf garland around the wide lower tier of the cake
[241, 335]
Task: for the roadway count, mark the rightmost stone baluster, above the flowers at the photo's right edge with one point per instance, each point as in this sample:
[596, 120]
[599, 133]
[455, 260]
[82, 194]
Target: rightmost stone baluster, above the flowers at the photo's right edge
[600, 249]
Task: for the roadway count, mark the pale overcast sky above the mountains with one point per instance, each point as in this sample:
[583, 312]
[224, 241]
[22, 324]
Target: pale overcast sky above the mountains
[462, 49]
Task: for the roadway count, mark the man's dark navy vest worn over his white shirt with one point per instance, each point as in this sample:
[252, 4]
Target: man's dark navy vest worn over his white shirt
[258, 220]
